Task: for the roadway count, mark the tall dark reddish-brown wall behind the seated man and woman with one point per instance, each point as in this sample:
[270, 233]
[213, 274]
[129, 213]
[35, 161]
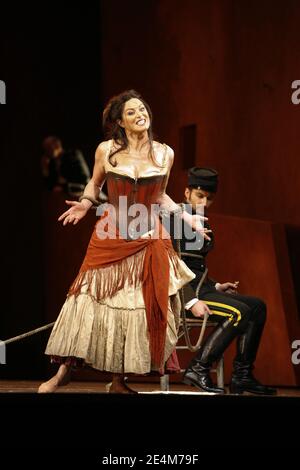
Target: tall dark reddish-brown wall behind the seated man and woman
[227, 67]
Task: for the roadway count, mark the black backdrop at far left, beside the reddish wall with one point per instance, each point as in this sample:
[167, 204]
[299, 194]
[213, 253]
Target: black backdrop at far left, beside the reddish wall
[50, 62]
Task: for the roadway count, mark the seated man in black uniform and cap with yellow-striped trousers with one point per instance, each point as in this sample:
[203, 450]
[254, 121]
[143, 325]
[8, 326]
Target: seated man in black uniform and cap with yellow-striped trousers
[238, 316]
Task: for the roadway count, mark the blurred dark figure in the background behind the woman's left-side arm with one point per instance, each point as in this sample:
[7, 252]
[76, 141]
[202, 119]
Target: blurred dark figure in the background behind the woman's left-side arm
[63, 170]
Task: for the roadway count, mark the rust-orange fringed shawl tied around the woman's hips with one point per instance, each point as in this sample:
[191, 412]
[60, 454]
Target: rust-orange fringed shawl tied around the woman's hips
[152, 270]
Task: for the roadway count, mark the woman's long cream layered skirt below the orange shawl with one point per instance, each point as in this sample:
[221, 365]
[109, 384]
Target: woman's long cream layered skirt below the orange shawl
[112, 334]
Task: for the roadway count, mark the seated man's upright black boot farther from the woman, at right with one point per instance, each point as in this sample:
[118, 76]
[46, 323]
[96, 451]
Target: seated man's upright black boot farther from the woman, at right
[242, 378]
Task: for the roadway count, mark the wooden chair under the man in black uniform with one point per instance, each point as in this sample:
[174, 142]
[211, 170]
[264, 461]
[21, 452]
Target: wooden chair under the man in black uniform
[187, 324]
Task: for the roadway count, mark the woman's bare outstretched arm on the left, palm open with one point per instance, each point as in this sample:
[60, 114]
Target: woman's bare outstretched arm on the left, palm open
[79, 209]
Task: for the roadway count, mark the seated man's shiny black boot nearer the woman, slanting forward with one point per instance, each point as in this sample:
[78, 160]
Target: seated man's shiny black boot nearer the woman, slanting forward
[197, 373]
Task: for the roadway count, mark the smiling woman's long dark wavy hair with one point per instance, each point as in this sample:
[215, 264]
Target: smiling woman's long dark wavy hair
[113, 113]
